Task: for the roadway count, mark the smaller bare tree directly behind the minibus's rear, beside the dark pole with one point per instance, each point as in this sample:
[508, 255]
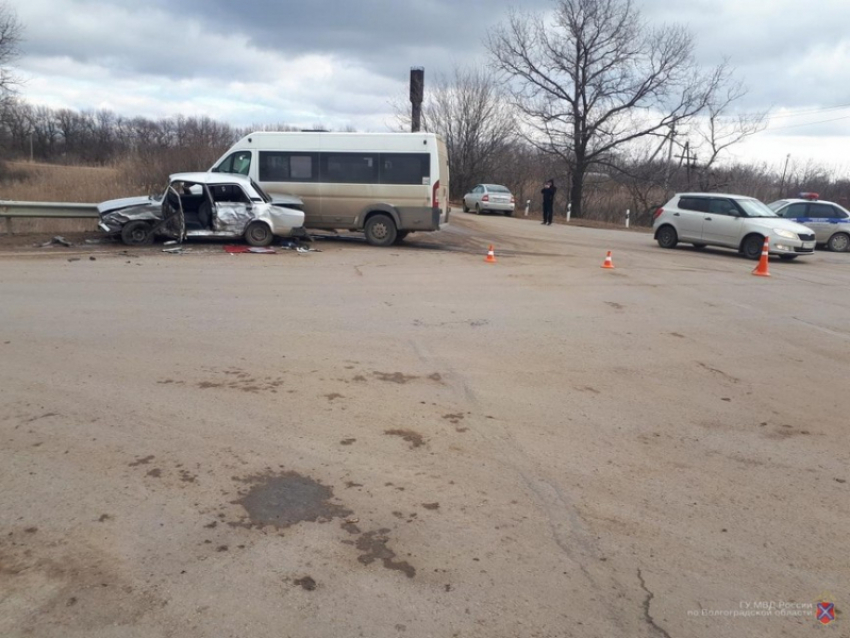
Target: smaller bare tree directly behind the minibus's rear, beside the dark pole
[476, 123]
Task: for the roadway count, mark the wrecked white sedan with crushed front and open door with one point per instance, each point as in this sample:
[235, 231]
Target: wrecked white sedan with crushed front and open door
[214, 205]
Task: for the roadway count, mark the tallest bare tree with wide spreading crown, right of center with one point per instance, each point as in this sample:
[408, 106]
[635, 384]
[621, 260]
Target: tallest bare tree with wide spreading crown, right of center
[597, 77]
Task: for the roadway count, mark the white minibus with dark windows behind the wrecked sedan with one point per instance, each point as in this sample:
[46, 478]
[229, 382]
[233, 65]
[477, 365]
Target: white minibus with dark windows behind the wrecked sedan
[387, 185]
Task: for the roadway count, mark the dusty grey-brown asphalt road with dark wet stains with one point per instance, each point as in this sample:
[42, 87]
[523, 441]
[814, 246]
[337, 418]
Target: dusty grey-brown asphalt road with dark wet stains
[413, 442]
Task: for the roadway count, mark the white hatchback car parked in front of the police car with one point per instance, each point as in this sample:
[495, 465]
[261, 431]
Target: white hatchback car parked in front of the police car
[732, 221]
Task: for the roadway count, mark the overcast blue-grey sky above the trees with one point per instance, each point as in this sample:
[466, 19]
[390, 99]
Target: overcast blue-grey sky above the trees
[341, 63]
